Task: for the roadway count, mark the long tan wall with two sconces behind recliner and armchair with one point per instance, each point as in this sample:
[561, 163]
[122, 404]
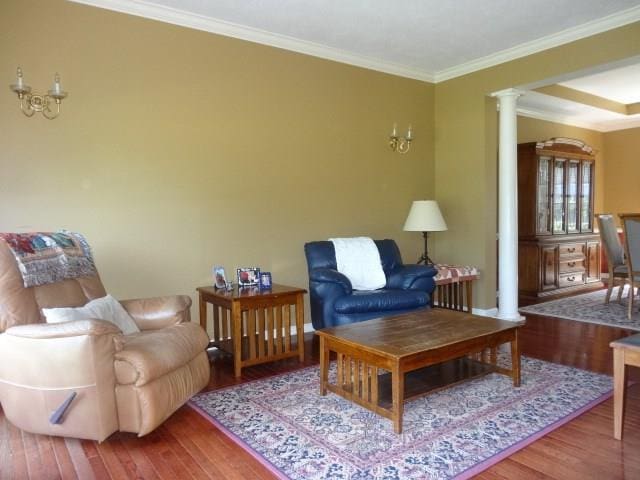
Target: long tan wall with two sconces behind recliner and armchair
[178, 149]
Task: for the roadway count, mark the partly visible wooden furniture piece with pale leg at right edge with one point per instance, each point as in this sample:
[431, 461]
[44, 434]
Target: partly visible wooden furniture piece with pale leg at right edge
[626, 351]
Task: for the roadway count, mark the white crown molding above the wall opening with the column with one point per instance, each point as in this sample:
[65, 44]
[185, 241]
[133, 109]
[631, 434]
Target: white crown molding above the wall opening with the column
[588, 29]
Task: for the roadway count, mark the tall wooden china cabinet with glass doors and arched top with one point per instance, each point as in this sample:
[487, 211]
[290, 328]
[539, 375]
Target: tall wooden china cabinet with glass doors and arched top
[557, 249]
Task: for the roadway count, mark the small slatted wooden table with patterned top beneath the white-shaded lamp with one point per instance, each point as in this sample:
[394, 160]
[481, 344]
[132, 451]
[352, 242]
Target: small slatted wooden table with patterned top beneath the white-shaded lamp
[454, 287]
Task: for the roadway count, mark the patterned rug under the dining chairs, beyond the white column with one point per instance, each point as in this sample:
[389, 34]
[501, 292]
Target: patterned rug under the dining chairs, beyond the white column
[590, 308]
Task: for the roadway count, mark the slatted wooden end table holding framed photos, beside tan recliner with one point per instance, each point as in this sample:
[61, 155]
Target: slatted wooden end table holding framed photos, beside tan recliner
[258, 322]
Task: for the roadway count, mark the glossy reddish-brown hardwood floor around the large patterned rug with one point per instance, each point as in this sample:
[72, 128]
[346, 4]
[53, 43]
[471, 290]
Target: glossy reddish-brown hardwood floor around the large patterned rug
[188, 446]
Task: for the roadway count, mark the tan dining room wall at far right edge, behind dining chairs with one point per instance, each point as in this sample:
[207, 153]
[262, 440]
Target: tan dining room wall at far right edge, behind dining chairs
[623, 171]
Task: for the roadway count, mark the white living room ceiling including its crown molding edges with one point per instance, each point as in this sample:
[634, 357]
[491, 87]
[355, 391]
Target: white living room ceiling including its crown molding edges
[430, 40]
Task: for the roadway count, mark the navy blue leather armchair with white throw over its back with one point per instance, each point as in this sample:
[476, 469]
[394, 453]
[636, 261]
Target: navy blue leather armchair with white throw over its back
[334, 302]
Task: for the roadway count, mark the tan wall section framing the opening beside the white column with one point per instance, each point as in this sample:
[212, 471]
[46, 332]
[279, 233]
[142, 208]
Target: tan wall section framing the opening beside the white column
[466, 144]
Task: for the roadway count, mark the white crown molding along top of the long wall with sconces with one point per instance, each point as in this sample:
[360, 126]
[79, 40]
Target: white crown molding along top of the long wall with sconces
[182, 18]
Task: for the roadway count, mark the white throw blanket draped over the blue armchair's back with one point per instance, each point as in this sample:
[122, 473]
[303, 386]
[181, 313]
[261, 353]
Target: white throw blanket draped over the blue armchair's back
[359, 260]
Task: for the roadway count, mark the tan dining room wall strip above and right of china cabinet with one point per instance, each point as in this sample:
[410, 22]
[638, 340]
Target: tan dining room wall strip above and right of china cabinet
[533, 130]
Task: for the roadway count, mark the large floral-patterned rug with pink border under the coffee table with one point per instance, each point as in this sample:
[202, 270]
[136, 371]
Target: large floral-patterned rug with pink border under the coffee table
[453, 433]
